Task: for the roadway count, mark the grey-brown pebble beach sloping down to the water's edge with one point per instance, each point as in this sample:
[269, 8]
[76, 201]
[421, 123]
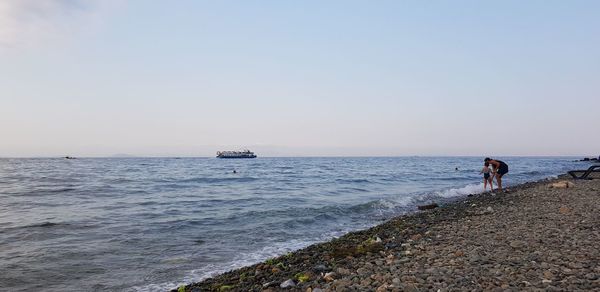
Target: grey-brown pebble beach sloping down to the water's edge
[537, 236]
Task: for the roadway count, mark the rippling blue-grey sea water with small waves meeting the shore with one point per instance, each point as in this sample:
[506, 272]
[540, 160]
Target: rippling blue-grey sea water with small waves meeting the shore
[150, 224]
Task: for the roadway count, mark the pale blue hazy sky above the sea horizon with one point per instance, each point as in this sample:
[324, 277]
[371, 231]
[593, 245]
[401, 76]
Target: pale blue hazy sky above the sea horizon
[299, 78]
